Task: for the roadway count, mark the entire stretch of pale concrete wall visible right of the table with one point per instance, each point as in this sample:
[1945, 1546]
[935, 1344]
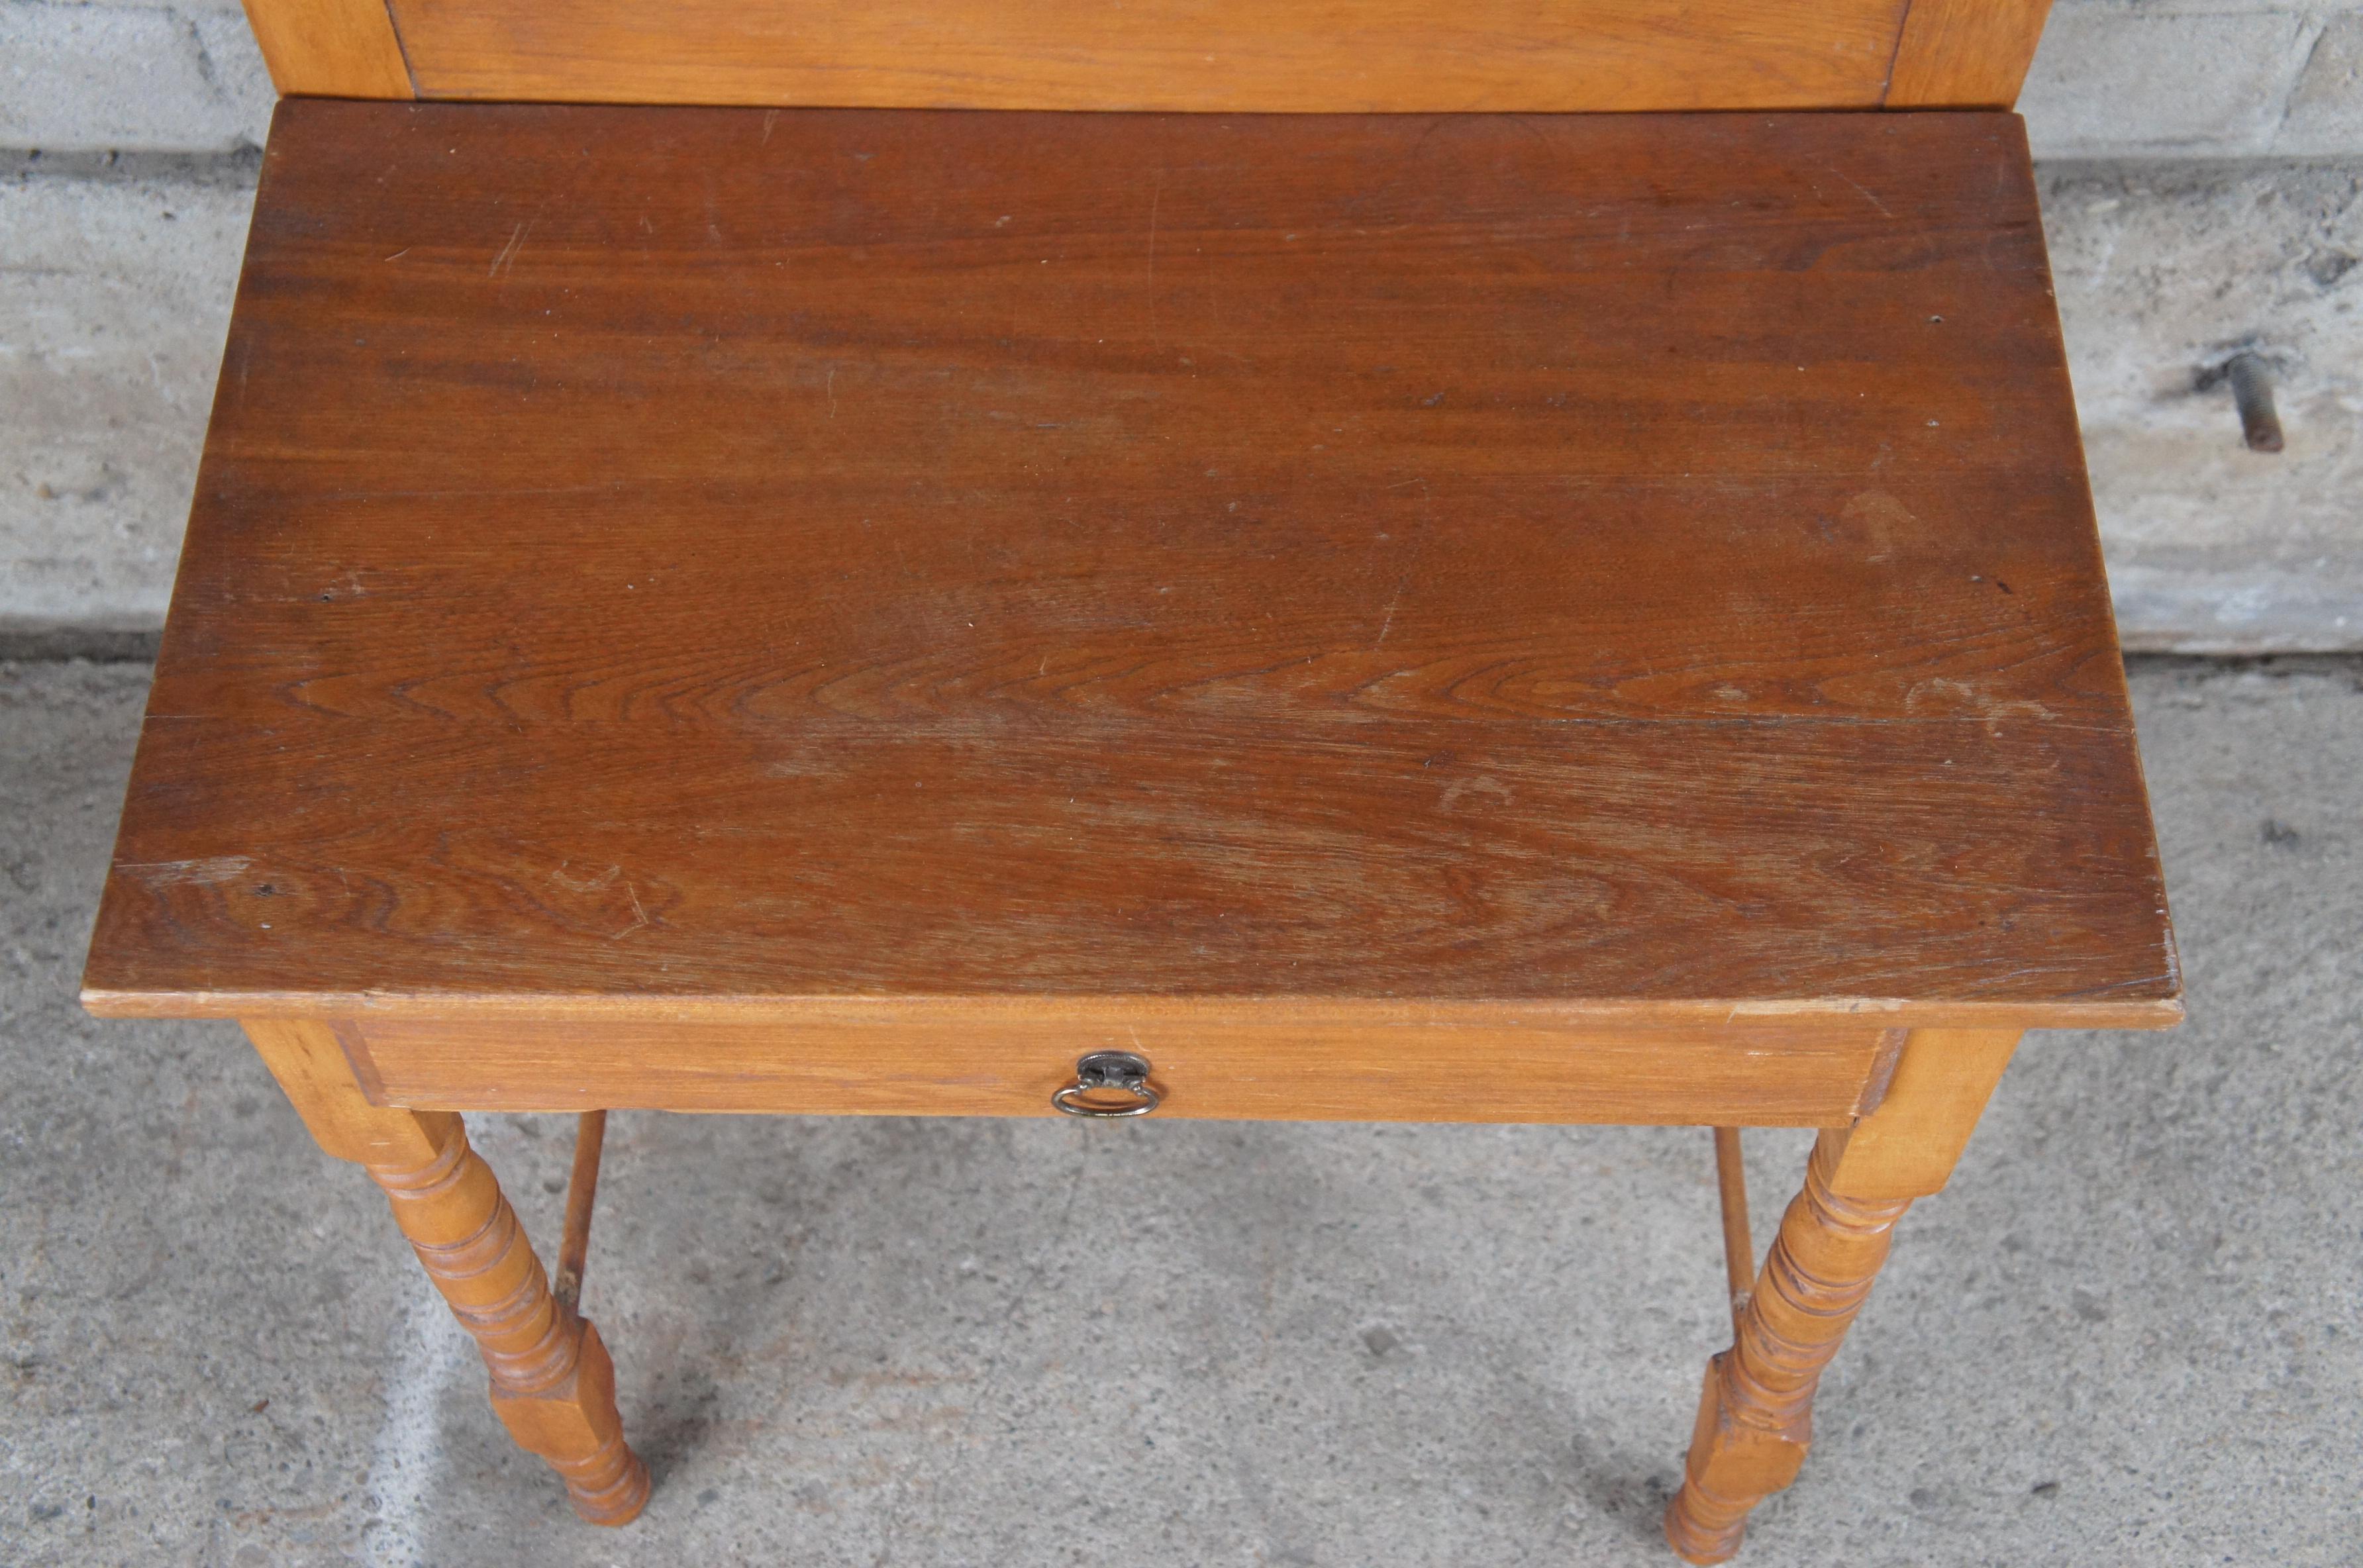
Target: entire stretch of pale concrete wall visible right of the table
[2203, 195]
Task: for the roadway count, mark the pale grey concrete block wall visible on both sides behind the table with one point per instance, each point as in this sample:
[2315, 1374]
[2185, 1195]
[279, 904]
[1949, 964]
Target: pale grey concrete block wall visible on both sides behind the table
[2203, 183]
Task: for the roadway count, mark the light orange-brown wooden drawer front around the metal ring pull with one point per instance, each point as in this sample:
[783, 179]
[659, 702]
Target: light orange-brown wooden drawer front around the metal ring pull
[1206, 1064]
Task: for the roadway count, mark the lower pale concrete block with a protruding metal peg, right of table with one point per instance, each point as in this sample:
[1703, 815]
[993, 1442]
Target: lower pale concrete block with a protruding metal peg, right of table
[2163, 268]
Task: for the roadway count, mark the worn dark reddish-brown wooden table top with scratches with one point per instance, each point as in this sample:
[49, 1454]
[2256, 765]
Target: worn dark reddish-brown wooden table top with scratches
[677, 563]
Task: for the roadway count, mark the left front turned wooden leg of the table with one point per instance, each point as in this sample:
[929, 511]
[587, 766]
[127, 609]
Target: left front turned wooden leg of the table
[552, 1378]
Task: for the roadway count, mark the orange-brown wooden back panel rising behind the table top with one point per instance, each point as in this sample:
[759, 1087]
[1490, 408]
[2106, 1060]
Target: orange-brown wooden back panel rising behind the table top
[1180, 55]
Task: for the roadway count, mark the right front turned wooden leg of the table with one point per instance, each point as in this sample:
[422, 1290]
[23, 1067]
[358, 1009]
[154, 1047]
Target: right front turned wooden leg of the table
[1757, 1409]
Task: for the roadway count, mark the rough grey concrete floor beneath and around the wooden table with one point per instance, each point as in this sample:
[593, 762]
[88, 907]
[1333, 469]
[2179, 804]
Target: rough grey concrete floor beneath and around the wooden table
[2133, 1333]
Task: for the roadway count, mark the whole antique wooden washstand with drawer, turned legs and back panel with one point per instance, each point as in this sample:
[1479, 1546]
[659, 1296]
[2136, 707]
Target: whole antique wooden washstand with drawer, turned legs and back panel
[1379, 561]
